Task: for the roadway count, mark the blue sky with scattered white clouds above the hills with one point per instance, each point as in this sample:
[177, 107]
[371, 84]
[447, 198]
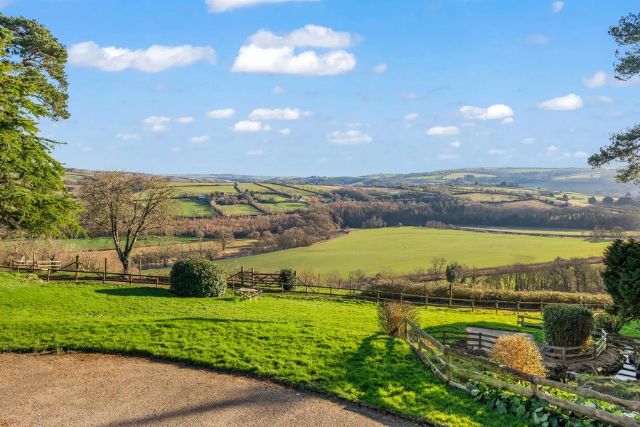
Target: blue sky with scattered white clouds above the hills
[335, 87]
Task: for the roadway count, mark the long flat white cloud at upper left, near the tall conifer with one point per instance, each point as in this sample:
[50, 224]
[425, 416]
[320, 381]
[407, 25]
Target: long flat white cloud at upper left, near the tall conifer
[153, 59]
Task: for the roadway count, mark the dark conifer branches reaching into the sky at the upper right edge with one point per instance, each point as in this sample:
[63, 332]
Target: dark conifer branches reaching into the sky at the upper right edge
[624, 146]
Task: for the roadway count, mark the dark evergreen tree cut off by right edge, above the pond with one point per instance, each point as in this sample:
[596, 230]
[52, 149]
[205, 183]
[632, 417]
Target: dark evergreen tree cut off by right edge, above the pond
[621, 278]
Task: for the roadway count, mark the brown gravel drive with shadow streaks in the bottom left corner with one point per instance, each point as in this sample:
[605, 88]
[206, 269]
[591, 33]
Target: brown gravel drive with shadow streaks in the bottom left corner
[104, 390]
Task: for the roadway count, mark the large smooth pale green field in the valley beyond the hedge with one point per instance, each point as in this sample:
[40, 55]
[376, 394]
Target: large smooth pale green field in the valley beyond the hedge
[403, 250]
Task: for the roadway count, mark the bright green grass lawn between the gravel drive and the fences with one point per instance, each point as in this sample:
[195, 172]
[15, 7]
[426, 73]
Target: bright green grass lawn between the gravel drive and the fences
[329, 346]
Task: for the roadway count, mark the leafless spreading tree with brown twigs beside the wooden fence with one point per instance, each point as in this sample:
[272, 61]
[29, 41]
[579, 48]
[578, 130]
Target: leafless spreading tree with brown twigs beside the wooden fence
[126, 206]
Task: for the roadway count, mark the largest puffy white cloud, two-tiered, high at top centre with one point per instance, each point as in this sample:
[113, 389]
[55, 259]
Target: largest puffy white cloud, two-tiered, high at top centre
[269, 53]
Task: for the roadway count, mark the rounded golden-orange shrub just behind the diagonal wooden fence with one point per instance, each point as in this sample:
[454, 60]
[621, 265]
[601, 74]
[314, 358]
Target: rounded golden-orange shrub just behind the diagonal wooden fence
[518, 352]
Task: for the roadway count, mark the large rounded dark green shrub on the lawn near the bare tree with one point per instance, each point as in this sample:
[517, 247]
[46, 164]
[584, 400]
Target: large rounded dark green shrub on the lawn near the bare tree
[197, 277]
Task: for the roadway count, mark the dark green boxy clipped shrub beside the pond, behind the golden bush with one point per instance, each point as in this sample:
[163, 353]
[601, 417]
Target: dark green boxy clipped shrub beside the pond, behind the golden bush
[567, 325]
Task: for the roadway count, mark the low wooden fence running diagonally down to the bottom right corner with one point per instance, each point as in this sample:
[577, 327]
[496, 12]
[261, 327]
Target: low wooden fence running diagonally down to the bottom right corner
[456, 368]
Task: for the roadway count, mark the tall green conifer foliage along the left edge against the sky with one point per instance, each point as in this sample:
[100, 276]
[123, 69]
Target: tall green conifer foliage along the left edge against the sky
[33, 198]
